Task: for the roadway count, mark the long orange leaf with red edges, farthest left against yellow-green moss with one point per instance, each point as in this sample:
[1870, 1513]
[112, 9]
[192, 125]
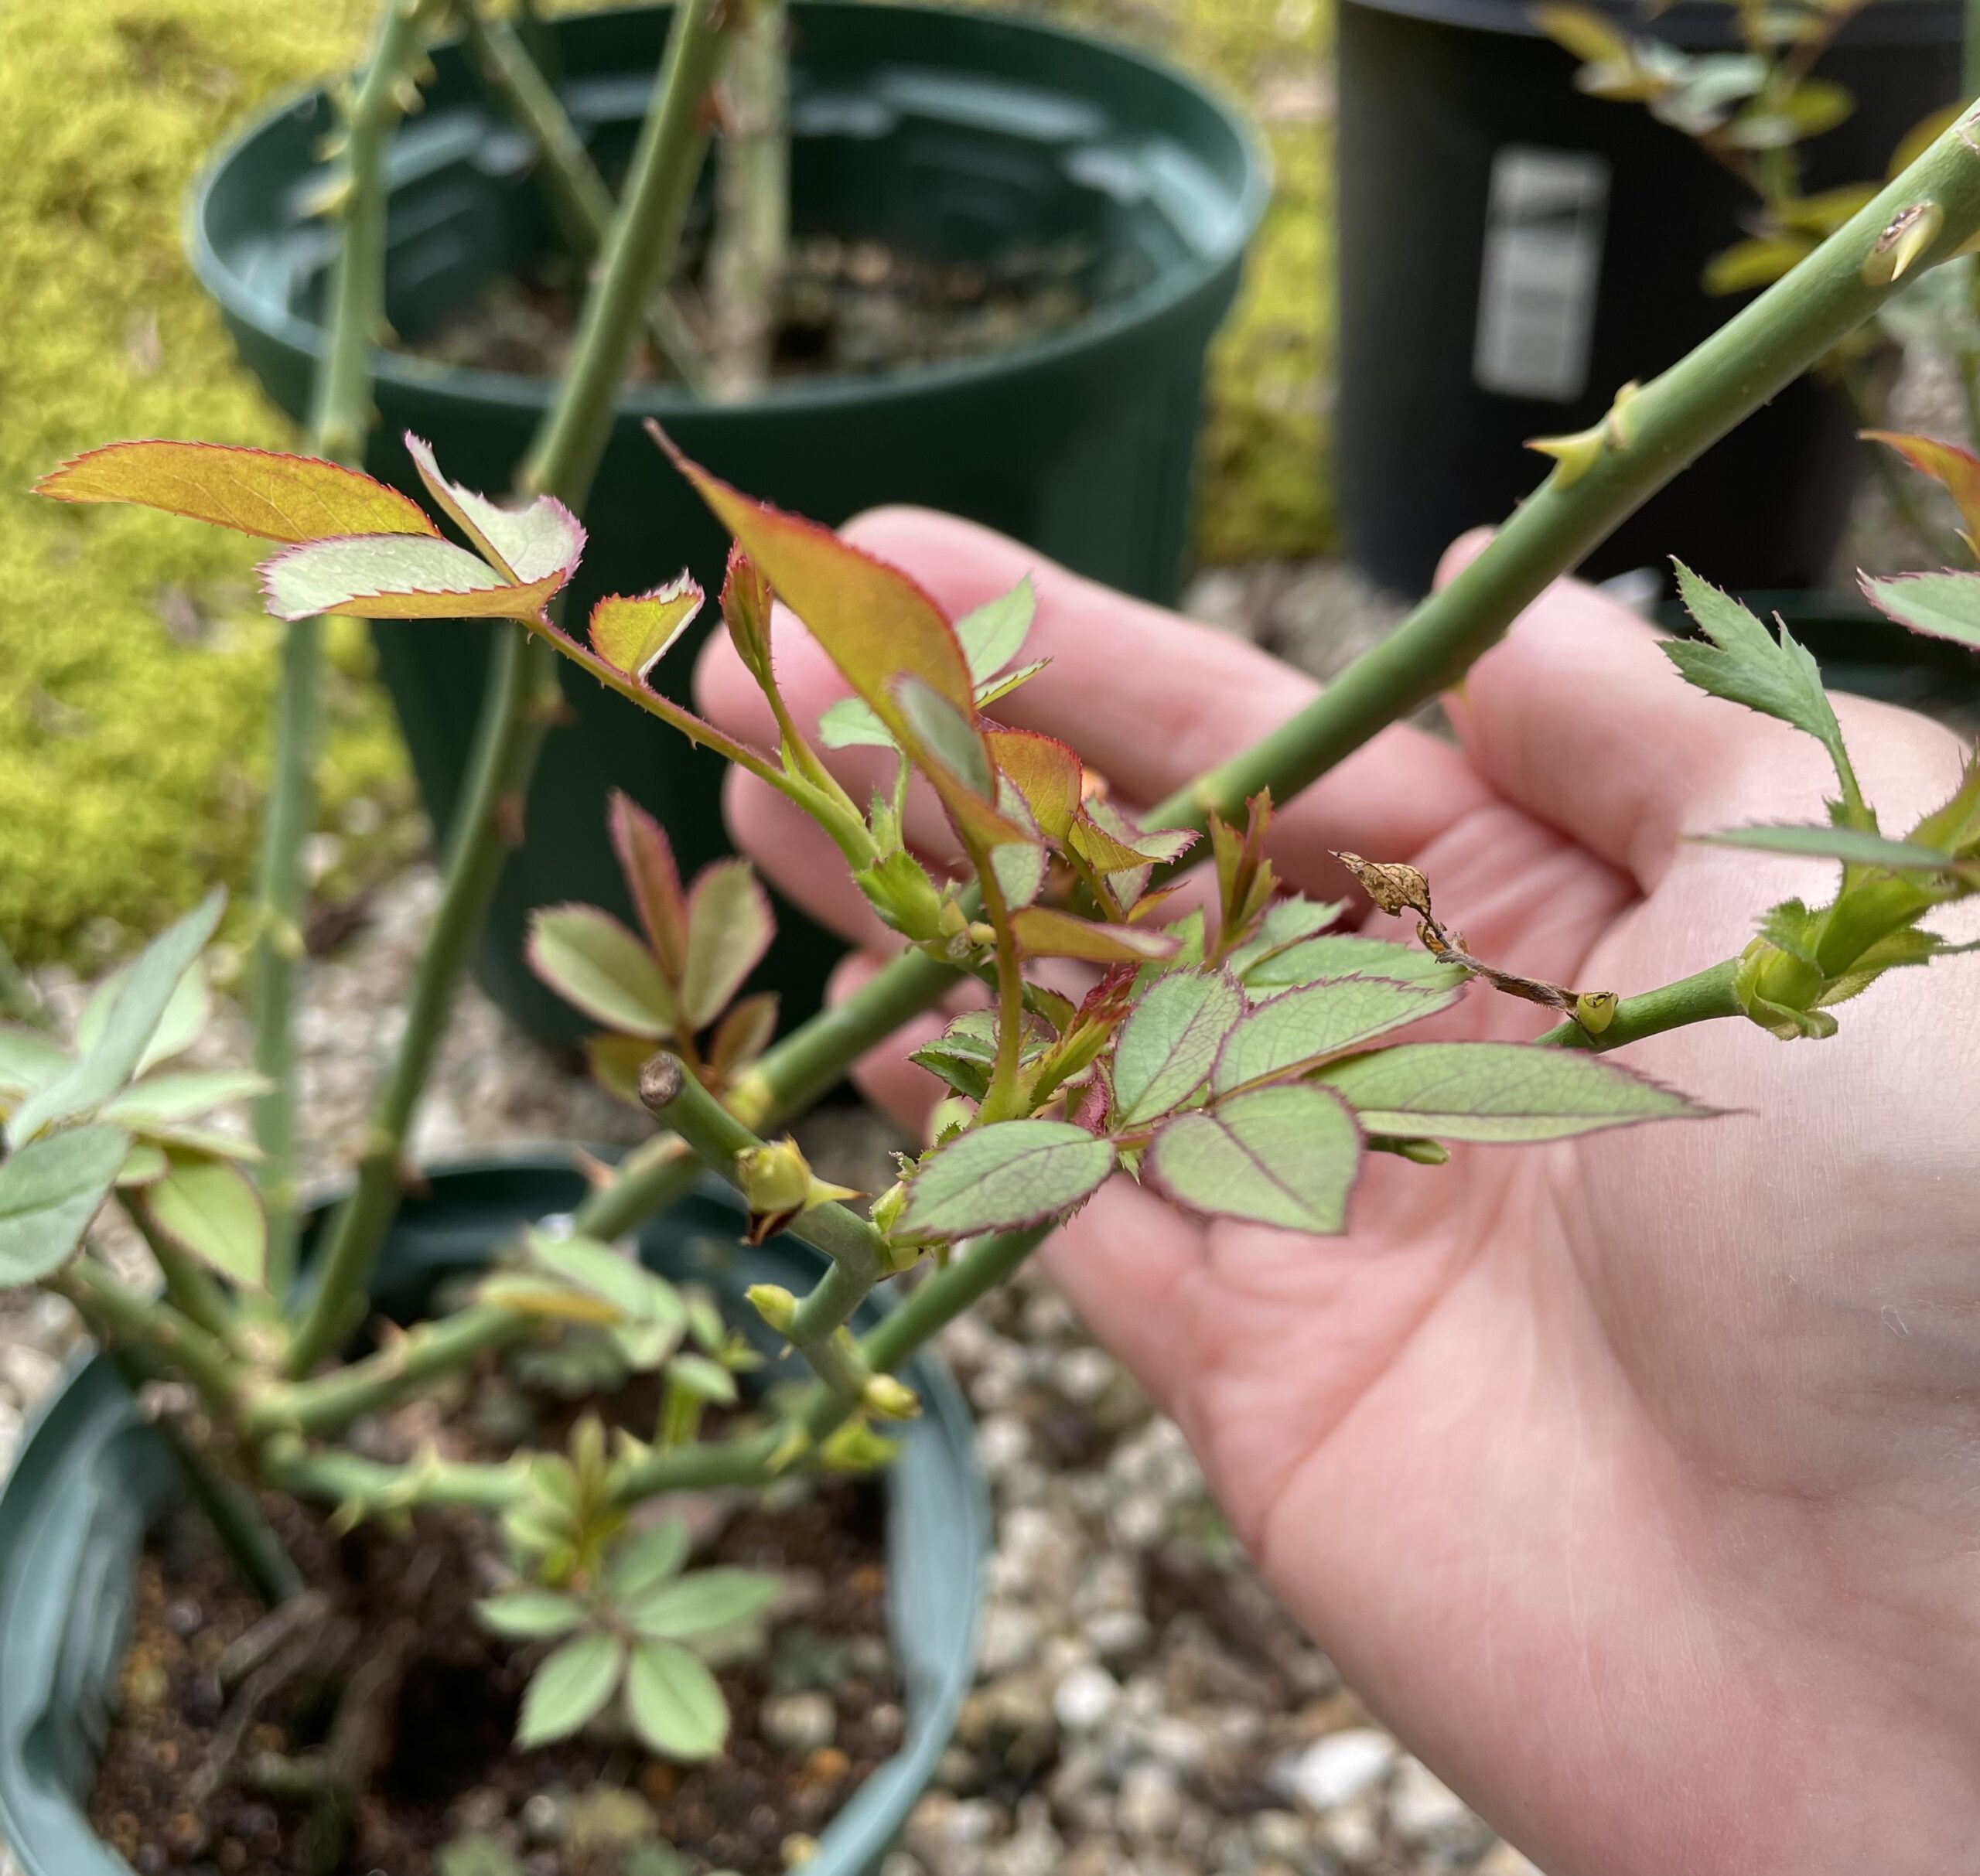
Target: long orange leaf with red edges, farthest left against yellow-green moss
[254, 492]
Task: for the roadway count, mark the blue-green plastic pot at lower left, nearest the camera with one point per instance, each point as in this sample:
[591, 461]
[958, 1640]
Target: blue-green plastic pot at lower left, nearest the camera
[92, 1477]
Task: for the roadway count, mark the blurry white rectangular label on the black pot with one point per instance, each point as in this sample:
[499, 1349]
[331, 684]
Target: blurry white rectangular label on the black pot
[1543, 260]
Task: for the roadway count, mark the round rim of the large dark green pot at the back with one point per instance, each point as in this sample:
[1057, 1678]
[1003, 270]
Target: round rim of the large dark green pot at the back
[1171, 290]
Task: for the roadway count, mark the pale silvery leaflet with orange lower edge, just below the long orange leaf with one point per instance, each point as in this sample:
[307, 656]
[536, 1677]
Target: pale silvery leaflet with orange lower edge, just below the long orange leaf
[395, 577]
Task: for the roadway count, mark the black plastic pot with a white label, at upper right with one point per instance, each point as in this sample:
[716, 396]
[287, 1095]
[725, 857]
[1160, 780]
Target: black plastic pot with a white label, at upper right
[1514, 250]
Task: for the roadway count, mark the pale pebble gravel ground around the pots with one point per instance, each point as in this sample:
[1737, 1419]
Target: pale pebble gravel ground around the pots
[1143, 1707]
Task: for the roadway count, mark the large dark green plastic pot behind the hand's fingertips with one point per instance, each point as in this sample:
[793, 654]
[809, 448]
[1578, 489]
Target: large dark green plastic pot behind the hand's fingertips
[957, 134]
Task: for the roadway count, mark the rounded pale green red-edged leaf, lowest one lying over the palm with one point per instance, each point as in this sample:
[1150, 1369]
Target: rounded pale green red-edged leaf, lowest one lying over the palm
[1276, 1157]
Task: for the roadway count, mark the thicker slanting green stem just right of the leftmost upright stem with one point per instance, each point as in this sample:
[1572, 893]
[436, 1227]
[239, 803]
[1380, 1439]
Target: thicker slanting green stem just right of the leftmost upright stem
[524, 688]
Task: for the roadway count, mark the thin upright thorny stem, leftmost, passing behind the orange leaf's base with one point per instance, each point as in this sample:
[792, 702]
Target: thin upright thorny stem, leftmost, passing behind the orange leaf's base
[342, 419]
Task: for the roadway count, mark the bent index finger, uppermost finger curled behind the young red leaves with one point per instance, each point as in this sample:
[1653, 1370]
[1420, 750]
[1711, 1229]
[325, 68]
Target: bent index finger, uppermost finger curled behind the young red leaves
[1149, 700]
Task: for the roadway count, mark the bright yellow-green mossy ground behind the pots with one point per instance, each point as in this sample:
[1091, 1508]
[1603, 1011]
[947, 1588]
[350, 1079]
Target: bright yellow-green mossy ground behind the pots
[134, 682]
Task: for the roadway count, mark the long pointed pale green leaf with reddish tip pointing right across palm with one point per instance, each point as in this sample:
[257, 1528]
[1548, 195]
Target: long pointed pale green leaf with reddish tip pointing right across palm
[1500, 1093]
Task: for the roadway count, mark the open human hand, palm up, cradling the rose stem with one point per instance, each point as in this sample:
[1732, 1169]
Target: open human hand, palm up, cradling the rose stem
[1631, 1479]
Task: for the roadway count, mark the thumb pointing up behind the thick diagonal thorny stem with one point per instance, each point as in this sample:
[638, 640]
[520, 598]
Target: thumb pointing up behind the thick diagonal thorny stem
[1583, 723]
